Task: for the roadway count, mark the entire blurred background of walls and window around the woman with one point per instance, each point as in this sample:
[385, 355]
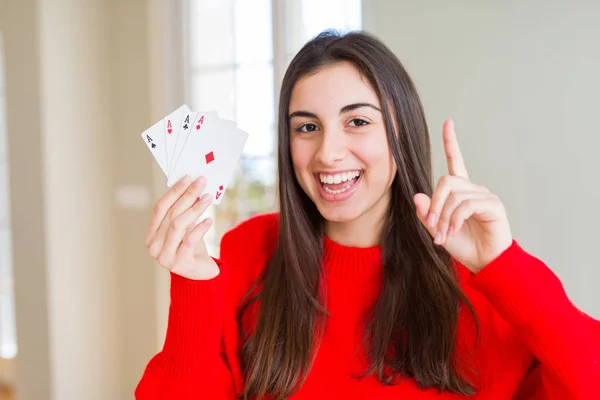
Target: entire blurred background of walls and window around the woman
[82, 306]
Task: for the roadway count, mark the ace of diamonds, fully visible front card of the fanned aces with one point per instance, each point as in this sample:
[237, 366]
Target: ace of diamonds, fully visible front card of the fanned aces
[211, 151]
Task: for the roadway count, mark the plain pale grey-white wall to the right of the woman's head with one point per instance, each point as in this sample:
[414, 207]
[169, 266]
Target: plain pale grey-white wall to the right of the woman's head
[520, 79]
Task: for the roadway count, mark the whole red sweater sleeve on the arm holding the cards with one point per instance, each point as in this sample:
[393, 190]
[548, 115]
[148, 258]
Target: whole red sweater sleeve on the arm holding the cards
[191, 365]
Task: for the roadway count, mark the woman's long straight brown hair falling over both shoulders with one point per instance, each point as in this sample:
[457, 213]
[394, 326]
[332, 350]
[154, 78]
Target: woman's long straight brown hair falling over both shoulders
[411, 329]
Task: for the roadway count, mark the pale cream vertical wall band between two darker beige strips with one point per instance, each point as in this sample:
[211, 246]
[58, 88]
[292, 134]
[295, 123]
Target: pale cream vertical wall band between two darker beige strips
[77, 143]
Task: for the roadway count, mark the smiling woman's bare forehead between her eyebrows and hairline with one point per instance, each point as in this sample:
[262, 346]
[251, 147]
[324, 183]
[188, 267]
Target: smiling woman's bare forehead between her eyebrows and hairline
[331, 88]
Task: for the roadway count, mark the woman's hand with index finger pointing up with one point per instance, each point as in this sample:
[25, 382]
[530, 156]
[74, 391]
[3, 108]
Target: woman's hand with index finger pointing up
[465, 218]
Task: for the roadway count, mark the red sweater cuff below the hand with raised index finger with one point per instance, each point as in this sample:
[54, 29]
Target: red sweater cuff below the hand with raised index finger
[521, 287]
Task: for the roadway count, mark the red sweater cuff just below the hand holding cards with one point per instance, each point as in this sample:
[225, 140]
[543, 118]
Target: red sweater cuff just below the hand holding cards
[193, 337]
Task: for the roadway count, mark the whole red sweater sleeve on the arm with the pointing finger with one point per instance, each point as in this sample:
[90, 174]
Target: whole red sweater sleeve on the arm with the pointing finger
[565, 341]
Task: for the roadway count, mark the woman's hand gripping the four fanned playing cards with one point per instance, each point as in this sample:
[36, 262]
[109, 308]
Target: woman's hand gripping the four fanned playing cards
[173, 238]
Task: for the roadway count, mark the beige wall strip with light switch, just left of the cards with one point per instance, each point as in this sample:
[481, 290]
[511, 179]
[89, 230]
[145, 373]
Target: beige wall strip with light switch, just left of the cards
[131, 110]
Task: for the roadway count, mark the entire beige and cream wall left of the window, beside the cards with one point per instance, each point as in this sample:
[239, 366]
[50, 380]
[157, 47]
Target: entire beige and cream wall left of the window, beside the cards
[82, 187]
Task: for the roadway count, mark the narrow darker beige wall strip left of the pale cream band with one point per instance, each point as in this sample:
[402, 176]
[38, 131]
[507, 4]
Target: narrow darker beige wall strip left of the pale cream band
[29, 228]
